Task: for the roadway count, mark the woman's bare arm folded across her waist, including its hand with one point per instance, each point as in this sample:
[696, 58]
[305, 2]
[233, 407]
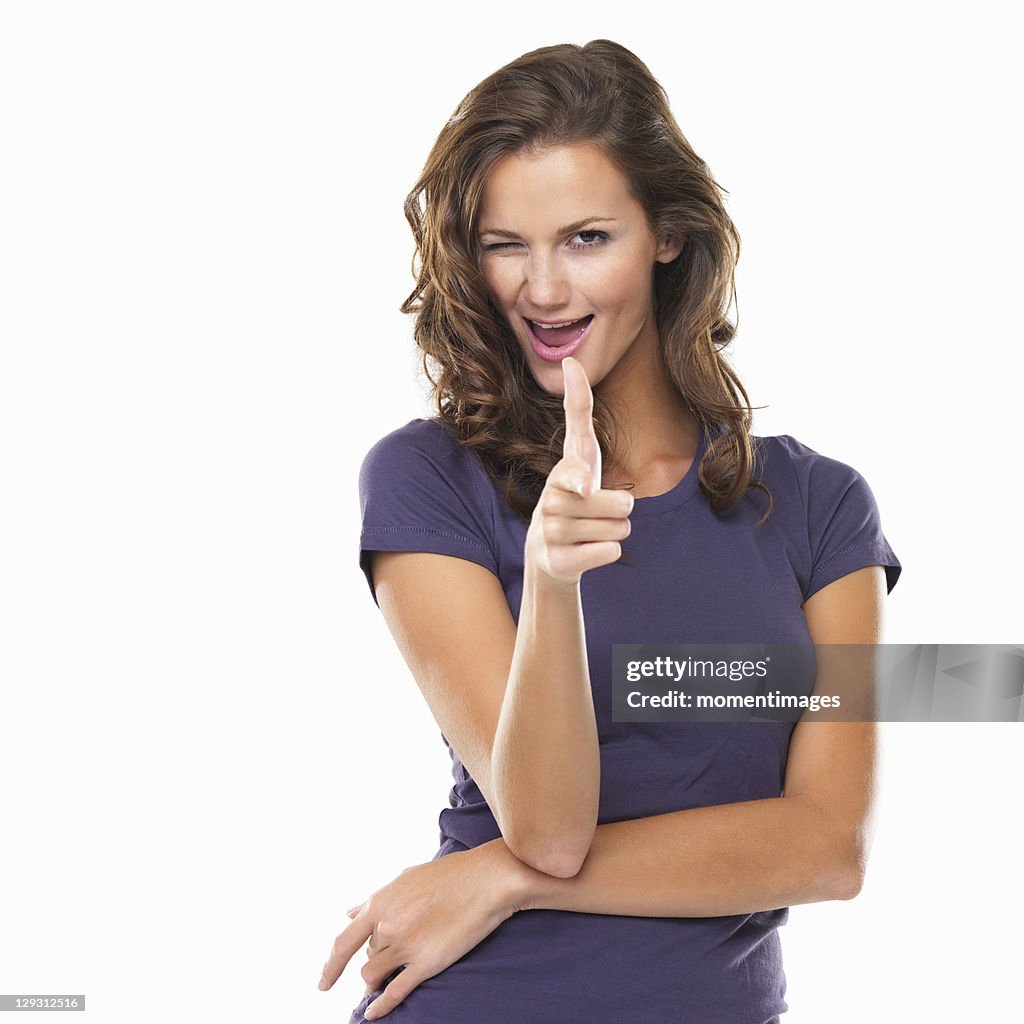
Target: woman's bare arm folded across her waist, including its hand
[807, 846]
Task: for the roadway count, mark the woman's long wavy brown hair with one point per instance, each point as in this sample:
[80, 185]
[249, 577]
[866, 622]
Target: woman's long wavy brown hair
[484, 391]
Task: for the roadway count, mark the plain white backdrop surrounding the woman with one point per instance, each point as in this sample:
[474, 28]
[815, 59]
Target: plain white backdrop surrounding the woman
[210, 747]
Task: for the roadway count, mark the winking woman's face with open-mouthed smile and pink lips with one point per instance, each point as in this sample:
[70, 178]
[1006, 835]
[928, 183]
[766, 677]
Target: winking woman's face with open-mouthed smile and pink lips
[563, 240]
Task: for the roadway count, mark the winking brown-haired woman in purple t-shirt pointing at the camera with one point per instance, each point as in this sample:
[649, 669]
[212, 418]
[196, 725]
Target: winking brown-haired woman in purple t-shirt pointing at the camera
[589, 480]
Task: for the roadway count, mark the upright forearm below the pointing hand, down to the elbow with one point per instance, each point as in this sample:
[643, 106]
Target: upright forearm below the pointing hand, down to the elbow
[545, 764]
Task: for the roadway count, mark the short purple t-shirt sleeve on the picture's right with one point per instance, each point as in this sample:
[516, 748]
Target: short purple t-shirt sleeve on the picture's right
[844, 526]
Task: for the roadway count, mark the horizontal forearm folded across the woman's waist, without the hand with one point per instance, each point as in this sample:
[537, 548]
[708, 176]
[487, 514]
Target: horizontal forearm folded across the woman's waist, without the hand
[708, 862]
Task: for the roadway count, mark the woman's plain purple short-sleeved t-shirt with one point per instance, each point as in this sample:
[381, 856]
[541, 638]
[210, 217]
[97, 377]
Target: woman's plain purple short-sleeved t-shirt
[696, 578]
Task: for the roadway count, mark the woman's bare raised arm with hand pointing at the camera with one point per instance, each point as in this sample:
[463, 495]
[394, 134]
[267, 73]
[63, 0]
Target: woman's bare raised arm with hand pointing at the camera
[516, 704]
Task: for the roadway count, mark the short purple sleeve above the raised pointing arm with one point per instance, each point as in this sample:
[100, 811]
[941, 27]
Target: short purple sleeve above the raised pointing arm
[420, 491]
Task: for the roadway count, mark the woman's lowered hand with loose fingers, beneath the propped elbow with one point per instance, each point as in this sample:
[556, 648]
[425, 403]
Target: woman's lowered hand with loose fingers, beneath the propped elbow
[430, 917]
